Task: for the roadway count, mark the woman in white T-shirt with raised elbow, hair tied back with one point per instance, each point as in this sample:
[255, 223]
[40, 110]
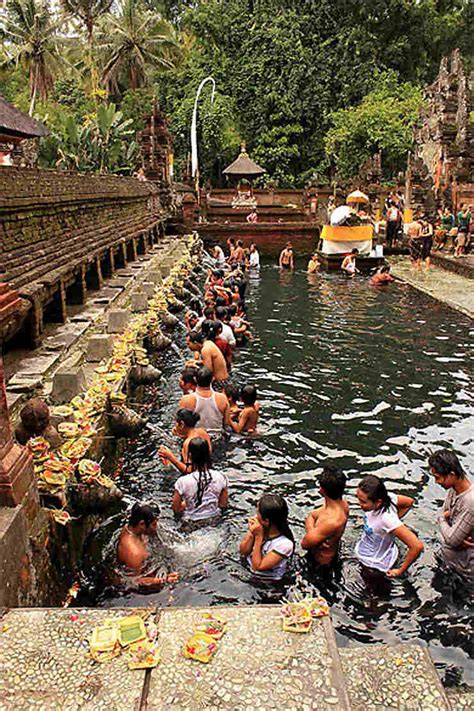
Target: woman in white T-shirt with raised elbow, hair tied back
[382, 525]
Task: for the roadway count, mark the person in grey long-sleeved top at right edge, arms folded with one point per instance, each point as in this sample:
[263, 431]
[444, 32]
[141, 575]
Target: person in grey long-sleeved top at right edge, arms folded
[456, 523]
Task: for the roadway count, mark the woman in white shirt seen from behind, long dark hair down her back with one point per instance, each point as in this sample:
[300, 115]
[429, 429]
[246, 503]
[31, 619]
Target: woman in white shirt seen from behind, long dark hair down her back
[202, 494]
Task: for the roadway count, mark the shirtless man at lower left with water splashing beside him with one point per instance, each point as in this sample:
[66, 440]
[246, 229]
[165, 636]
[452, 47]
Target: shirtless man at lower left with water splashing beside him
[132, 548]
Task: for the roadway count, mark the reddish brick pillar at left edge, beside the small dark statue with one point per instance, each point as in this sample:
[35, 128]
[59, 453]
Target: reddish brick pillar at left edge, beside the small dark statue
[17, 484]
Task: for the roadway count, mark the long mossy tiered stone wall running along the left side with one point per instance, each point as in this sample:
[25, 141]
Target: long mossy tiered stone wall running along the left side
[60, 232]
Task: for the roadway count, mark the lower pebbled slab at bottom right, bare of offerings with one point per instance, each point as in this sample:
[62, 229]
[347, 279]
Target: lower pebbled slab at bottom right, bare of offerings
[401, 677]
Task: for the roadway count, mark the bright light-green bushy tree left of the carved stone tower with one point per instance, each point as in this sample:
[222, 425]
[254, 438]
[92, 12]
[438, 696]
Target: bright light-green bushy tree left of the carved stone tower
[383, 121]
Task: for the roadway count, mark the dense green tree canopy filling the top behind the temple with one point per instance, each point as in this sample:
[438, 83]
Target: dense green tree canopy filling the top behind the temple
[307, 85]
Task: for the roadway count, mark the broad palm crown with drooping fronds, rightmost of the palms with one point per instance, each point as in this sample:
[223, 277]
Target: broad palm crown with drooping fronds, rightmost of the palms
[132, 43]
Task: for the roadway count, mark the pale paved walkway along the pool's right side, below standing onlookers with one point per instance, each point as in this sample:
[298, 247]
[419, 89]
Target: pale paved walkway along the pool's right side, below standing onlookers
[452, 289]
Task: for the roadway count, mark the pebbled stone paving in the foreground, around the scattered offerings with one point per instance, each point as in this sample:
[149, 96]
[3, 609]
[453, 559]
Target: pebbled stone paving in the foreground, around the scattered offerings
[258, 667]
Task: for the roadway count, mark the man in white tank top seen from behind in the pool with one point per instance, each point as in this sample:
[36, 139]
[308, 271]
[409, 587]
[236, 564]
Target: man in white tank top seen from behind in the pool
[212, 407]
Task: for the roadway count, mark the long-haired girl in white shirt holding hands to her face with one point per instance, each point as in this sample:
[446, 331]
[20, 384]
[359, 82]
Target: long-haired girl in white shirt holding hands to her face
[269, 543]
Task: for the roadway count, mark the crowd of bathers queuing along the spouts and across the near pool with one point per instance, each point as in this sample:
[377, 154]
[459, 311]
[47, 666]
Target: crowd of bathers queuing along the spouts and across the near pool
[212, 403]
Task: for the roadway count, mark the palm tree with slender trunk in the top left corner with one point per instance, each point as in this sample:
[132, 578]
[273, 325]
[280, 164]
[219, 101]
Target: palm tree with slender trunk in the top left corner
[31, 41]
